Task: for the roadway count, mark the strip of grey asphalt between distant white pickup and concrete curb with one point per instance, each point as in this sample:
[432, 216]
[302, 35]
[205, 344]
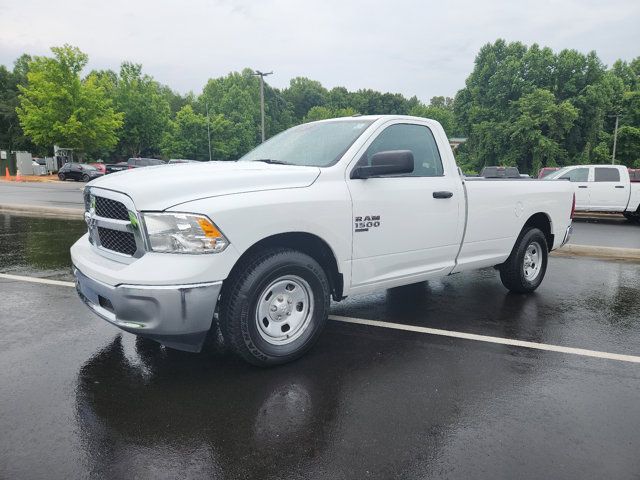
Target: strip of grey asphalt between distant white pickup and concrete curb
[610, 232]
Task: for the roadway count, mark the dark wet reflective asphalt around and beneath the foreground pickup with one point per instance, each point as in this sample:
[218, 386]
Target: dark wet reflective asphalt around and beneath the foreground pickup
[79, 399]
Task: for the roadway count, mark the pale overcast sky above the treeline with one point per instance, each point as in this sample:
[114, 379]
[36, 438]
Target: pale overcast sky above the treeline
[415, 47]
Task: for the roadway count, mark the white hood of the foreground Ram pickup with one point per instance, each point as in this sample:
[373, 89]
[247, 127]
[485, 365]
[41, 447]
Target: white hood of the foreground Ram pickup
[164, 186]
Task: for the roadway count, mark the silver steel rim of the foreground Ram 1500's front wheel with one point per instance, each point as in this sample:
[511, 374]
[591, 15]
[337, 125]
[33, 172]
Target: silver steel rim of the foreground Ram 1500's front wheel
[284, 310]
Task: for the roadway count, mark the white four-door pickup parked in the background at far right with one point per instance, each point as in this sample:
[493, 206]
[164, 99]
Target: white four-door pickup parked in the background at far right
[602, 188]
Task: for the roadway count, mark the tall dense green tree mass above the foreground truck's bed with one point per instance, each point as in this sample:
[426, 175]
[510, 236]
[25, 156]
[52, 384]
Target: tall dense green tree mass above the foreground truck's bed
[529, 107]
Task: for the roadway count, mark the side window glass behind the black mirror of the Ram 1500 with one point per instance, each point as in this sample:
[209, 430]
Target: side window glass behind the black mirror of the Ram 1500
[418, 139]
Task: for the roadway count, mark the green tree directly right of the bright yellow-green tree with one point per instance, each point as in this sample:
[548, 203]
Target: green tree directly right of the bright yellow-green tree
[146, 111]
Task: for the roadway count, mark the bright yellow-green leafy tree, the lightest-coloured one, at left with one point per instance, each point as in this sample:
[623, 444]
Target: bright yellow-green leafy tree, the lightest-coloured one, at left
[58, 107]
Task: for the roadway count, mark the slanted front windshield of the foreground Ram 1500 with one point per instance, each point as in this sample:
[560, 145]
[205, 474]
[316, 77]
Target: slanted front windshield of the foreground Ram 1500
[318, 144]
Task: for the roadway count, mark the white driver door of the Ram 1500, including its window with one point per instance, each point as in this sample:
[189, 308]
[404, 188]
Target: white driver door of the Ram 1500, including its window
[400, 228]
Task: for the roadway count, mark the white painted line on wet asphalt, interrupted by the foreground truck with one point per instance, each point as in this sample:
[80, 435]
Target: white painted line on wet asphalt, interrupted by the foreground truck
[413, 328]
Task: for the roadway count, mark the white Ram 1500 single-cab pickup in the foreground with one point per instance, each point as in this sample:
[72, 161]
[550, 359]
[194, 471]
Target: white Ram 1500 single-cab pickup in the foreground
[325, 209]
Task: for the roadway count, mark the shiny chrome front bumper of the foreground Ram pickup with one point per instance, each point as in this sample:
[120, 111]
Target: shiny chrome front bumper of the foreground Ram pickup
[178, 316]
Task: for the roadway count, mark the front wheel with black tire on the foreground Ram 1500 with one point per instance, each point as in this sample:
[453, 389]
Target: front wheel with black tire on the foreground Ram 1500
[274, 308]
